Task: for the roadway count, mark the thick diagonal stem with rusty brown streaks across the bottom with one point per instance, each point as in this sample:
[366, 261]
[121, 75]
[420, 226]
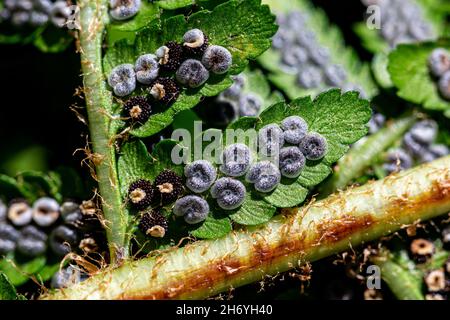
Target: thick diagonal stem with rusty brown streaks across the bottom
[323, 228]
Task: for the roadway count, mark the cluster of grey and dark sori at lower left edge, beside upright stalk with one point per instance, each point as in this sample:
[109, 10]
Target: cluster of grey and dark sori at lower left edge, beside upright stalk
[48, 228]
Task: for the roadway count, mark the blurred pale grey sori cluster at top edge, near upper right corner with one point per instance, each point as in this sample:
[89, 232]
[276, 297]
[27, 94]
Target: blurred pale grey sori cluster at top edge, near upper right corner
[402, 21]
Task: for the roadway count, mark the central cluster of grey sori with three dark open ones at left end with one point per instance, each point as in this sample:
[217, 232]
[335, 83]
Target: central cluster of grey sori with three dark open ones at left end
[289, 146]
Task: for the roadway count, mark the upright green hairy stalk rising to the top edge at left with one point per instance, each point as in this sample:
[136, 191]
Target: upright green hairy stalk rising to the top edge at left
[93, 16]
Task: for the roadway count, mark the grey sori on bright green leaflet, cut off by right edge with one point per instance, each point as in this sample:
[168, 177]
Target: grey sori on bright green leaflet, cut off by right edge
[439, 66]
